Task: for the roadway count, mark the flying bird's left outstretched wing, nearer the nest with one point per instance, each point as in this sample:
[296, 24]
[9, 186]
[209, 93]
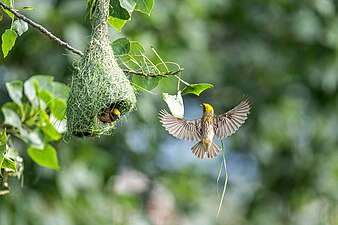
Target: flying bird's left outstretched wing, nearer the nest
[188, 130]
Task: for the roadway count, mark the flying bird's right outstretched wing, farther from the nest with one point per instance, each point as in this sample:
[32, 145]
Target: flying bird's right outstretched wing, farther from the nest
[229, 122]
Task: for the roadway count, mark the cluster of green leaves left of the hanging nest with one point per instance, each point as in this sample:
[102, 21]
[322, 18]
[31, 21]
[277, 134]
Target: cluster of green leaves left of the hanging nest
[36, 116]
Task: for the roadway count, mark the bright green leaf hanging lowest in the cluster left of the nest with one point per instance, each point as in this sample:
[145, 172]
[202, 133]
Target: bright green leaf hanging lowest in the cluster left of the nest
[46, 157]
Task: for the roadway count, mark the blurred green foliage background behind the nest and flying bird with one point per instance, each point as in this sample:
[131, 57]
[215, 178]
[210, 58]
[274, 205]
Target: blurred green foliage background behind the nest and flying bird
[282, 164]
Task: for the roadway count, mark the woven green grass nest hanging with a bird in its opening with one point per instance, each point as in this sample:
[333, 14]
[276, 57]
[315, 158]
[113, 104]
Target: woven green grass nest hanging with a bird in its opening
[98, 83]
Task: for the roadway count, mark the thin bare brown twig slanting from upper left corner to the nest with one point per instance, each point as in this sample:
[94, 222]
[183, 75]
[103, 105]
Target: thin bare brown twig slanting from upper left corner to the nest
[41, 29]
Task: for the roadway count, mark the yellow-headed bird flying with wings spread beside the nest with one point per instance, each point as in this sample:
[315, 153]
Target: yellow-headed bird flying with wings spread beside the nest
[204, 129]
